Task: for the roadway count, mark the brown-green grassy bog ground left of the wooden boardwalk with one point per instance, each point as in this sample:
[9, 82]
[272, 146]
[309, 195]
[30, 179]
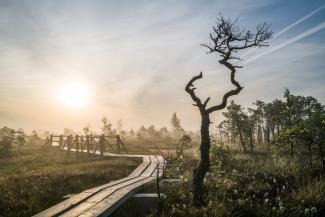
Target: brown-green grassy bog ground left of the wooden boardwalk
[39, 177]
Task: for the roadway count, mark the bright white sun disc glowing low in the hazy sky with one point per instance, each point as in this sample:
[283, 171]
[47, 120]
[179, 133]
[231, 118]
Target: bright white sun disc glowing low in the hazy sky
[74, 95]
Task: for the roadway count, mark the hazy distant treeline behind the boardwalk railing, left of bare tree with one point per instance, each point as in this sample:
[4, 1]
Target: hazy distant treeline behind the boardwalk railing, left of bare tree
[9, 137]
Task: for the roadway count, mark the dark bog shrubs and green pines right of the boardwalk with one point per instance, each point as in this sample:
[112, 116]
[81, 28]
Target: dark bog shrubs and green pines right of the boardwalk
[267, 160]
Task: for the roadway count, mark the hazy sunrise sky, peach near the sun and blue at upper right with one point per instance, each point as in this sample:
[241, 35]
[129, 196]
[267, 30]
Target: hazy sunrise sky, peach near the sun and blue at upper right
[132, 59]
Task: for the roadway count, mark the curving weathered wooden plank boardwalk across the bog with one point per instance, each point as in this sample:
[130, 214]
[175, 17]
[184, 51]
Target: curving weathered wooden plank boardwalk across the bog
[104, 199]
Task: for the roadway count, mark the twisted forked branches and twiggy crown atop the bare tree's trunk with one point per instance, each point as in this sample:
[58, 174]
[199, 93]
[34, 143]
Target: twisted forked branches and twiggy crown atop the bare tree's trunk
[227, 39]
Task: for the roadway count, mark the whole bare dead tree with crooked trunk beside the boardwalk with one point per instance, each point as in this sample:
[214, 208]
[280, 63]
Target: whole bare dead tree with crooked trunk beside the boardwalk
[227, 40]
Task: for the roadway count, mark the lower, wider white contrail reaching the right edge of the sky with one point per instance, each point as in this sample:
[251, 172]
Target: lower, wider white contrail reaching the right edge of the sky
[302, 35]
